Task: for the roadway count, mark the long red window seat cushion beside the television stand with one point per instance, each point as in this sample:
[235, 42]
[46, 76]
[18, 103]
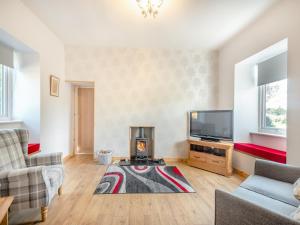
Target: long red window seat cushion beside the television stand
[261, 152]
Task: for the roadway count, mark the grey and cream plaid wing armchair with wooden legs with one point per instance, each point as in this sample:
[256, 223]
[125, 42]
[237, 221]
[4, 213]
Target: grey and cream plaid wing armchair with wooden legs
[33, 181]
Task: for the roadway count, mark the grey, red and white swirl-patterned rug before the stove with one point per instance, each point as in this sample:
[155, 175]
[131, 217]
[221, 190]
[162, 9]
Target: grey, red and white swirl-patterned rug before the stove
[143, 179]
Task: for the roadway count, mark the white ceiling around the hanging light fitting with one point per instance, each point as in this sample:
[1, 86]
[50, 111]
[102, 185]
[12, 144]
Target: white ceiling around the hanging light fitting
[119, 23]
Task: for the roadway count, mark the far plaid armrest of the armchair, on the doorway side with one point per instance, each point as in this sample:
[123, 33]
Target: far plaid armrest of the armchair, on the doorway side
[44, 159]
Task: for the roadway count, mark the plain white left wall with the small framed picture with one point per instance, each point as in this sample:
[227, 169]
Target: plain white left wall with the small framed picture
[22, 24]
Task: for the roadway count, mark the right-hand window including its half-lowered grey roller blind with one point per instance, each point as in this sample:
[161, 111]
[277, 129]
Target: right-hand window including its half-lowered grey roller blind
[272, 82]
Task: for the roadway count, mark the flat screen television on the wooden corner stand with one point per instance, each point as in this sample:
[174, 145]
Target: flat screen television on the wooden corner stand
[212, 125]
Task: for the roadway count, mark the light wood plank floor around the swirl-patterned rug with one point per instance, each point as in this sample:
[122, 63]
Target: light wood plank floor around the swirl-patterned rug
[78, 205]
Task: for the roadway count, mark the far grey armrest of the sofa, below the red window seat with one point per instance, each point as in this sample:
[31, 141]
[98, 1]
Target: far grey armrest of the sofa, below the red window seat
[277, 171]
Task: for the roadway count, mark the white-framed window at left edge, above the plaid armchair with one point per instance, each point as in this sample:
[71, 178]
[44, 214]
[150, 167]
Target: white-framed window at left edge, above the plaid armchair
[5, 92]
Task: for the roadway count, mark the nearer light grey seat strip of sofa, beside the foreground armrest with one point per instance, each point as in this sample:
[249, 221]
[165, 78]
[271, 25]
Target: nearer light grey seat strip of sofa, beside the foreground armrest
[265, 202]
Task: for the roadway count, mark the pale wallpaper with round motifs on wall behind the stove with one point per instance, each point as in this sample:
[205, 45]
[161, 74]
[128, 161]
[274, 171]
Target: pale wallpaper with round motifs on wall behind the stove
[155, 87]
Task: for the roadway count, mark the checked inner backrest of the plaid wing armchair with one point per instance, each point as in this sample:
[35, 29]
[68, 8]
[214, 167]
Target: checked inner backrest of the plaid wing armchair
[10, 151]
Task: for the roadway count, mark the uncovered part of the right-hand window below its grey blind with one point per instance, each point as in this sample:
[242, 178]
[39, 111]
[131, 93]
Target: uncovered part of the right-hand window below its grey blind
[273, 107]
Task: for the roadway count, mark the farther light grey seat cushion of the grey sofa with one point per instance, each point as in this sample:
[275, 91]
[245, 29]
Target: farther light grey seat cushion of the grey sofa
[275, 189]
